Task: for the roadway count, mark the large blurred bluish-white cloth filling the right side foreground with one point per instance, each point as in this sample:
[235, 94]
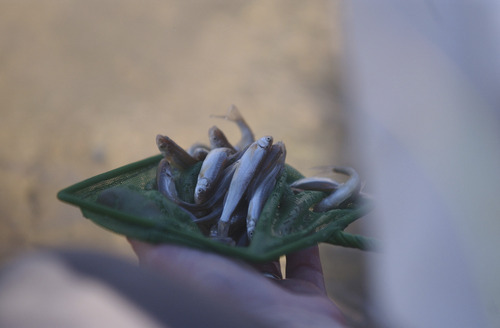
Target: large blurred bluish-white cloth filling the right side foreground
[423, 81]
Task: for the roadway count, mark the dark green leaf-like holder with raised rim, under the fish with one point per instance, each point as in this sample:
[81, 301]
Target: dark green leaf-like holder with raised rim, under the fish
[124, 201]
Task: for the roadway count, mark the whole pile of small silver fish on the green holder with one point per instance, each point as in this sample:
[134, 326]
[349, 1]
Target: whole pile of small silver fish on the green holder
[235, 181]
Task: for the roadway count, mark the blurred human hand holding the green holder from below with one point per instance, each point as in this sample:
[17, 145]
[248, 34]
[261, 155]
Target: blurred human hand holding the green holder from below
[300, 300]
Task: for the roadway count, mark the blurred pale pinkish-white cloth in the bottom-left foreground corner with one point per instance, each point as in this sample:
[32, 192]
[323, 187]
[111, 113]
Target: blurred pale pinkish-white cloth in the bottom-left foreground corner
[43, 291]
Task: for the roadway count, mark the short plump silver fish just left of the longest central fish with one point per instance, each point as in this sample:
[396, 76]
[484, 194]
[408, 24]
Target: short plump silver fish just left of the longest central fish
[210, 172]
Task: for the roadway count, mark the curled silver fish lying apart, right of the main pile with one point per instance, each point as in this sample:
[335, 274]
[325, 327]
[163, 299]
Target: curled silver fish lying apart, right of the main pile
[343, 193]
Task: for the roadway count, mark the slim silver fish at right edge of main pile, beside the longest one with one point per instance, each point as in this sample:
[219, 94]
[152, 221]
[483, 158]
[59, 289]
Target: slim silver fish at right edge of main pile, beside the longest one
[264, 185]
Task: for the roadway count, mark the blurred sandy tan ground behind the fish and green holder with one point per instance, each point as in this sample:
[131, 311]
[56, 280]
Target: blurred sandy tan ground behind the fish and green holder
[85, 86]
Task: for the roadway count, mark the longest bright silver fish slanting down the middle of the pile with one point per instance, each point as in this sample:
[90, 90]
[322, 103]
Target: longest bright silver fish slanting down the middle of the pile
[247, 166]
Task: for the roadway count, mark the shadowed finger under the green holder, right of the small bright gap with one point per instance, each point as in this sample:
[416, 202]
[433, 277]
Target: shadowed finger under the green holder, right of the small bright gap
[305, 266]
